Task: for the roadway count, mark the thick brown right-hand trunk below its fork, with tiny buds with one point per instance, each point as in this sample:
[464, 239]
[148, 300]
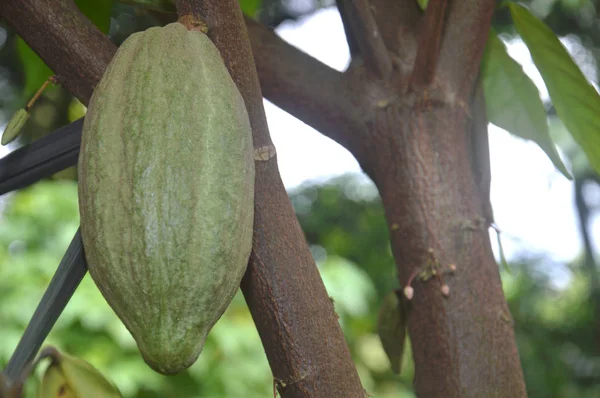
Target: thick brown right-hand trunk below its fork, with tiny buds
[463, 345]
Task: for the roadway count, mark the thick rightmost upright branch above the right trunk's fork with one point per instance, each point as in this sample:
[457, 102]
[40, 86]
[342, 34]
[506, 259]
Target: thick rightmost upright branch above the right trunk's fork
[466, 33]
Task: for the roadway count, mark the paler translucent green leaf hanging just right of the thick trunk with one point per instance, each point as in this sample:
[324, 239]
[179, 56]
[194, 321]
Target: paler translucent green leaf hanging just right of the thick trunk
[513, 101]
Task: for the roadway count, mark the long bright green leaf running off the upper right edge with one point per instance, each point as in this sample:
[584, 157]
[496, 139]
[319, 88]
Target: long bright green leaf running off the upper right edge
[576, 101]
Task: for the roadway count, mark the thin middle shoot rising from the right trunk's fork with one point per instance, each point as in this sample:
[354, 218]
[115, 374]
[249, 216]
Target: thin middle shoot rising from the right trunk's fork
[428, 47]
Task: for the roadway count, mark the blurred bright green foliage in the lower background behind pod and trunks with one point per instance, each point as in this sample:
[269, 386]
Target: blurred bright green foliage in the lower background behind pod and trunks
[344, 225]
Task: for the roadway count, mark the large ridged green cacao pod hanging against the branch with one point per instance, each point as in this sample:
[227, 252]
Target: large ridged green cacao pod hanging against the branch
[166, 191]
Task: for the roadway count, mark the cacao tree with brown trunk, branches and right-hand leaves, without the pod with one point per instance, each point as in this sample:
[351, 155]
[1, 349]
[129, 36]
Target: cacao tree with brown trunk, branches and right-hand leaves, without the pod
[411, 107]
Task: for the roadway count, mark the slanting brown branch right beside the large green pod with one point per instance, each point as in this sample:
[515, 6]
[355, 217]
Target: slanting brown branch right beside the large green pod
[295, 319]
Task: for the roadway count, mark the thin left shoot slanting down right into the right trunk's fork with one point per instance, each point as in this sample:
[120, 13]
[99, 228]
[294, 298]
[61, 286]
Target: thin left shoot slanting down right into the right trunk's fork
[365, 32]
